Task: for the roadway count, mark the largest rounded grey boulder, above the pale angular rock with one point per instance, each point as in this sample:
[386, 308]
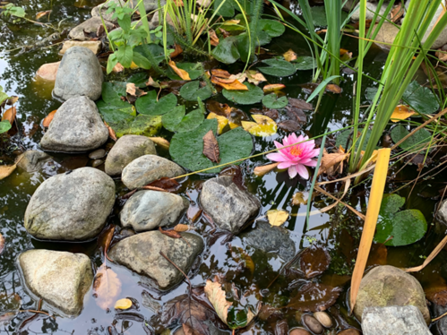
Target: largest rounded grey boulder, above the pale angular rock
[72, 206]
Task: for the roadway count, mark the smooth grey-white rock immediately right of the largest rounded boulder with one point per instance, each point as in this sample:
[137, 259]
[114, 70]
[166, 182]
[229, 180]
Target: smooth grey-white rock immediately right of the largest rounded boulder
[147, 210]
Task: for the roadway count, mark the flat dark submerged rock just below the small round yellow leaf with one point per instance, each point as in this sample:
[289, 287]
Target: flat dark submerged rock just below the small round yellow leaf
[270, 240]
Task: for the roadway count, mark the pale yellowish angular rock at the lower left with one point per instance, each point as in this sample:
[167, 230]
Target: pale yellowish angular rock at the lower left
[61, 279]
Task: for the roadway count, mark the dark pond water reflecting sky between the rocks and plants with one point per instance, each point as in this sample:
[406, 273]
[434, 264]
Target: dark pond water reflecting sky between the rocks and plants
[338, 231]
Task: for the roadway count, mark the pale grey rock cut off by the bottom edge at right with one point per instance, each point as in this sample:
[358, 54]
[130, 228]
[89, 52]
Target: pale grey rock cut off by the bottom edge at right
[396, 320]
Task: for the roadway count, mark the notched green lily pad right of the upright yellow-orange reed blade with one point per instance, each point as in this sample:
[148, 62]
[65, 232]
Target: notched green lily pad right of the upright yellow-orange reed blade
[399, 228]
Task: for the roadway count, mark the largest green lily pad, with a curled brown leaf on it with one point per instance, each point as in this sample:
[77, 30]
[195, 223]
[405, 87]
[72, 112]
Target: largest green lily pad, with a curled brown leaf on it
[186, 148]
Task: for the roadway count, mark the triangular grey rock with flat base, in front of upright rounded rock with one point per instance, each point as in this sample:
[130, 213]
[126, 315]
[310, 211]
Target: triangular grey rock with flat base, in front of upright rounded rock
[76, 127]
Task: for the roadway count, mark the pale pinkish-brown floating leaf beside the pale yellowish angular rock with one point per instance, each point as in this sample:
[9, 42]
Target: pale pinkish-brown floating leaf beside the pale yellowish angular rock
[106, 286]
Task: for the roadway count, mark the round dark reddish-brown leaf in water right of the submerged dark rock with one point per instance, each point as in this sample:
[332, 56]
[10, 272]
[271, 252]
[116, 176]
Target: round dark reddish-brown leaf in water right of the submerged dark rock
[314, 261]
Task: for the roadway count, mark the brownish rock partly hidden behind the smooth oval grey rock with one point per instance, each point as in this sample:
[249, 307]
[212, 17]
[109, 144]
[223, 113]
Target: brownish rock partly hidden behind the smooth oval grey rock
[125, 150]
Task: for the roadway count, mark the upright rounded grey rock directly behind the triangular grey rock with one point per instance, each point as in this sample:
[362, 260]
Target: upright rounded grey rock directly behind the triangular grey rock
[79, 74]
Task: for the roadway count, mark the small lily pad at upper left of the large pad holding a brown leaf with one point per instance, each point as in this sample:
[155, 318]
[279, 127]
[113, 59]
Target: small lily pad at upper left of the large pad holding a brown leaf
[177, 121]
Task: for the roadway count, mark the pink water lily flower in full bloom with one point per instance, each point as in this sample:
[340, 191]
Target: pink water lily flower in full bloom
[296, 157]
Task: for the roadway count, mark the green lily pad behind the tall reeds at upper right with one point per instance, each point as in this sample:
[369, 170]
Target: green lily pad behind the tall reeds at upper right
[421, 99]
